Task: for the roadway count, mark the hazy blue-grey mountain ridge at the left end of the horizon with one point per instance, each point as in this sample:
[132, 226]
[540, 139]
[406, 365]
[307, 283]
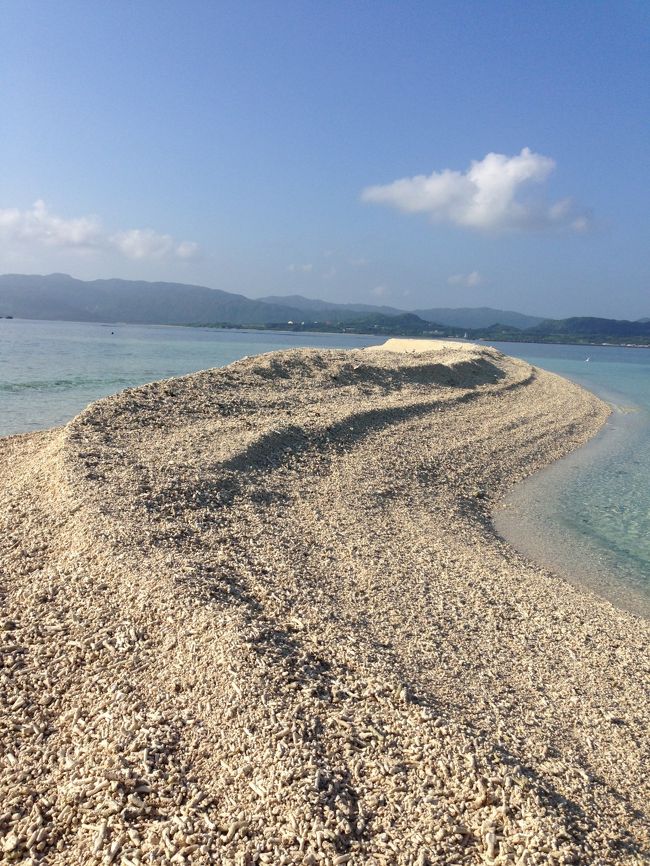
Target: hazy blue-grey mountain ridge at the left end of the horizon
[59, 296]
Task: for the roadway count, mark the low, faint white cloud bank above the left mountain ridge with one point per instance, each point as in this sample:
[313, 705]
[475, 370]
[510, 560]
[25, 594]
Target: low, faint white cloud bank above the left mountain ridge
[38, 227]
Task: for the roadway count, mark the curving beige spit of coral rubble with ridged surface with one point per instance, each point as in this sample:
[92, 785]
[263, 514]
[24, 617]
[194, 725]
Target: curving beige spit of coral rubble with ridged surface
[257, 615]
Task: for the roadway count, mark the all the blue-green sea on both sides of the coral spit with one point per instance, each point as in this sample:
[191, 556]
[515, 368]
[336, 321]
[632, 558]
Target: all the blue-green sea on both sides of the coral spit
[587, 516]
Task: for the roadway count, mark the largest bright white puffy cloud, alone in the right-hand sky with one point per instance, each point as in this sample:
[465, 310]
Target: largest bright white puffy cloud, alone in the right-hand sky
[485, 197]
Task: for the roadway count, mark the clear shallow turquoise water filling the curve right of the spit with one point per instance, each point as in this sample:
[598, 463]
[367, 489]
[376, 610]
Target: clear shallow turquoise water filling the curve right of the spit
[588, 516]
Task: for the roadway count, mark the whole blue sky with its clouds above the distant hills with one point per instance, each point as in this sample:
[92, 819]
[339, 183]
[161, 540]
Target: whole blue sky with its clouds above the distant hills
[416, 154]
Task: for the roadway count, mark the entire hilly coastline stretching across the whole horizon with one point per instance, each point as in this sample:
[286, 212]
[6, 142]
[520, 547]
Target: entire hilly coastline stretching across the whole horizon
[62, 297]
